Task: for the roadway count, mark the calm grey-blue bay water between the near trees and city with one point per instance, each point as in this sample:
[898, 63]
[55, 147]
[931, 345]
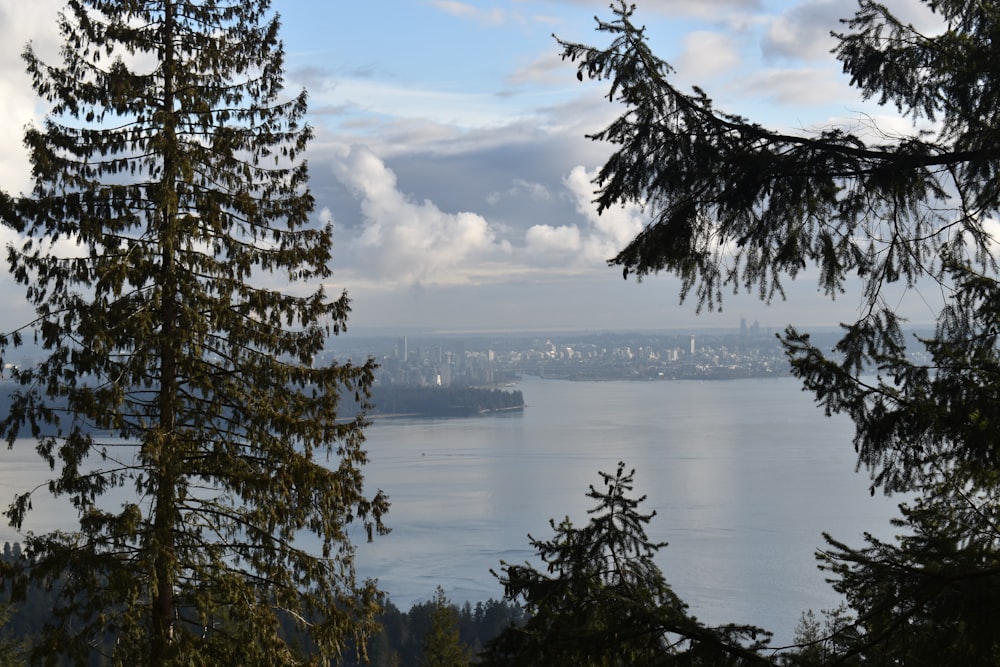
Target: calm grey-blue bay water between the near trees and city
[744, 476]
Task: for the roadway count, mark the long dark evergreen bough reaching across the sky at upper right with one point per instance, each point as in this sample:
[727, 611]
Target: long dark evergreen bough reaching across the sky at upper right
[832, 200]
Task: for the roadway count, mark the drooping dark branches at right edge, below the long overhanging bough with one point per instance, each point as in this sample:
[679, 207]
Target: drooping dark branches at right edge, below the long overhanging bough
[917, 419]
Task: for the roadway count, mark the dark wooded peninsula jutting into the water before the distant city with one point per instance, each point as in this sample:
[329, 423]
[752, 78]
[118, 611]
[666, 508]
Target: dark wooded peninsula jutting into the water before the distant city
[441, 401]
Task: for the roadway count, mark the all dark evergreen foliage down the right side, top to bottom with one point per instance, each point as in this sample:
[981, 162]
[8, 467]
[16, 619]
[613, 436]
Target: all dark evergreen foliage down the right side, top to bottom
[736, 205]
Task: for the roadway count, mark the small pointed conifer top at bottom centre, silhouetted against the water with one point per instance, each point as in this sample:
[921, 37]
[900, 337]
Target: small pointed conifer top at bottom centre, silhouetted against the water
[603, 601]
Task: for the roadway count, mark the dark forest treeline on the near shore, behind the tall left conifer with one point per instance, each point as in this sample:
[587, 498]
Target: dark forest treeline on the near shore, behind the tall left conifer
[399, 643]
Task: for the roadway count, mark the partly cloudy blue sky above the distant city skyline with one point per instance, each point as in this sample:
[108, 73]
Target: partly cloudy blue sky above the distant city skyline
[451, 154]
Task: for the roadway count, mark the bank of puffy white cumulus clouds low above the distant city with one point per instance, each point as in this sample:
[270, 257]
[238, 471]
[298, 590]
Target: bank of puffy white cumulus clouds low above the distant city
[399, 240]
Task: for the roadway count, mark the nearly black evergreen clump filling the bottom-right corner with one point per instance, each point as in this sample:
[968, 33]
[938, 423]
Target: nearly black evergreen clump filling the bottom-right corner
[932, 597]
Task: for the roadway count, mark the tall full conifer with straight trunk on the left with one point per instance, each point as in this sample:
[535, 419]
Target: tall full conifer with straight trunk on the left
[176, 275]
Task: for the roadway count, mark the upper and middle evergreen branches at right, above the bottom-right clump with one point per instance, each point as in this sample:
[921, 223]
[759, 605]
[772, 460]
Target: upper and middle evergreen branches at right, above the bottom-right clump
[736, 205]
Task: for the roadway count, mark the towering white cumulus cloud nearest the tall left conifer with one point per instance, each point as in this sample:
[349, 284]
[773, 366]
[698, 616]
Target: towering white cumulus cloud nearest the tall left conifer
[407, 241]
